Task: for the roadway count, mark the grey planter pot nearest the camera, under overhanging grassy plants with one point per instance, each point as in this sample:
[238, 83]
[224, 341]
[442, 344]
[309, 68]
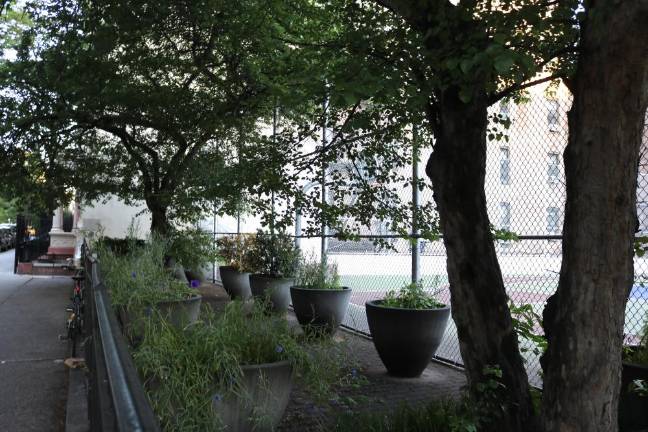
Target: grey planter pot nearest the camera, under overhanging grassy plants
[261, 400]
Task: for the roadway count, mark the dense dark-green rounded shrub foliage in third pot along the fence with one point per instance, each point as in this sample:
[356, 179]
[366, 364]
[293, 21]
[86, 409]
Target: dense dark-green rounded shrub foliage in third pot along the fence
[275, 255]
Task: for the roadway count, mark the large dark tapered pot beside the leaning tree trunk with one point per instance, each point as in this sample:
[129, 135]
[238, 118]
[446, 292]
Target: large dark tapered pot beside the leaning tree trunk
[406, 339]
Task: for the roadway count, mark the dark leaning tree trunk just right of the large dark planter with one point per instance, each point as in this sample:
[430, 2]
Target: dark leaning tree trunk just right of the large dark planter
[479, 302]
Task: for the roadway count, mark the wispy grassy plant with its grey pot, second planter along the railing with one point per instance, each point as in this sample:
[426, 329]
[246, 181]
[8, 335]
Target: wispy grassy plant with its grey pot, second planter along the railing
[139, 282]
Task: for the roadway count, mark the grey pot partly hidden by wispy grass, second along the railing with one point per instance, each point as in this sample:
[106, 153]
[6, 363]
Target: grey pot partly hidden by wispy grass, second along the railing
[179, 313]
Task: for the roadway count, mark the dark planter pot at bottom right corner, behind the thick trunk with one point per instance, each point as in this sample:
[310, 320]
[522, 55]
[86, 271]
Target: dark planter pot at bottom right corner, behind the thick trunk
[633, 408]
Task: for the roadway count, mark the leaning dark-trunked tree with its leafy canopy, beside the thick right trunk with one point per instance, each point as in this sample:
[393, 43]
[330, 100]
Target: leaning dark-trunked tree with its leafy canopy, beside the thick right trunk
[440, 66]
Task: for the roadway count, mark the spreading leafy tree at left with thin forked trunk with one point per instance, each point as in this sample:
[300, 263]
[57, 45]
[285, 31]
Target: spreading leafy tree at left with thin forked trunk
[151, 97]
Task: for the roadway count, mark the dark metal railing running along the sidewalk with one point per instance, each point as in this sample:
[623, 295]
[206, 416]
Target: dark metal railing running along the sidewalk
[117, 400]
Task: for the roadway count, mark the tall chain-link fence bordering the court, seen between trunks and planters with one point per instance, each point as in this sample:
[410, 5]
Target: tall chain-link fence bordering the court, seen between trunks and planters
[525, 191]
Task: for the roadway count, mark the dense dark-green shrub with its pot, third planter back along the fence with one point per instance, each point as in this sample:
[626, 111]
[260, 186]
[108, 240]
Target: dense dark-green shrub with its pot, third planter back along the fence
[275, 260]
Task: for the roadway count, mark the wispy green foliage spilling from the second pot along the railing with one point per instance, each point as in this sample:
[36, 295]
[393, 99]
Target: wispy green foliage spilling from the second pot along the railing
[138, 278]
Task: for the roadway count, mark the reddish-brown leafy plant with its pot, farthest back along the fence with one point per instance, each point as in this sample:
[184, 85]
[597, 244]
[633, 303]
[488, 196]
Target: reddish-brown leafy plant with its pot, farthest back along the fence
[234, 251]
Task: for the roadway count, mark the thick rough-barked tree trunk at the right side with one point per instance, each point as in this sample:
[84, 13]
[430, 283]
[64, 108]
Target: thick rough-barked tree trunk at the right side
[584, 320]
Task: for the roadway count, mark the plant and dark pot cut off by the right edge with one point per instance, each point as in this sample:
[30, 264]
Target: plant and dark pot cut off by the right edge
[633, 401]
